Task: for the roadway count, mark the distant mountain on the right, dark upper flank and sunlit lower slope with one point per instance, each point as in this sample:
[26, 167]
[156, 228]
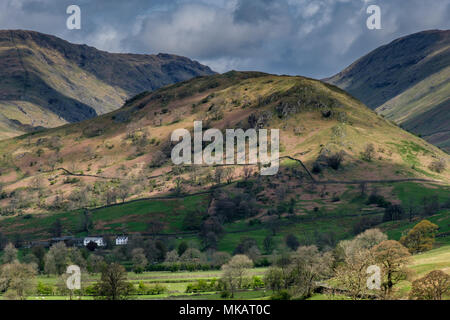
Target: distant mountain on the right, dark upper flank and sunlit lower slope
[407, 81]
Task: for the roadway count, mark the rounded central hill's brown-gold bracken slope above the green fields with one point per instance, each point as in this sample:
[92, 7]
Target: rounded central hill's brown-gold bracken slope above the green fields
[128, 150]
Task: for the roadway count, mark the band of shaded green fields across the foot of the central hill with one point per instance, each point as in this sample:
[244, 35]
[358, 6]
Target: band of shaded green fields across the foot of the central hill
[333, 219]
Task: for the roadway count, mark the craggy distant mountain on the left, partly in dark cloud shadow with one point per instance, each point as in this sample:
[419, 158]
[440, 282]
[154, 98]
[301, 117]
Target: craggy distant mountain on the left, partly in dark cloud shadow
[46, 81]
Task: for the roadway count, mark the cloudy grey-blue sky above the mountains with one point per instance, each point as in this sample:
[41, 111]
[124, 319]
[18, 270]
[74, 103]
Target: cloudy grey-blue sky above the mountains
[314, 38]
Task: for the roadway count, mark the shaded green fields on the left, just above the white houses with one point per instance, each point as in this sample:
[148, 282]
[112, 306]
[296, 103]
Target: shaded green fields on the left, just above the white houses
[123, 218]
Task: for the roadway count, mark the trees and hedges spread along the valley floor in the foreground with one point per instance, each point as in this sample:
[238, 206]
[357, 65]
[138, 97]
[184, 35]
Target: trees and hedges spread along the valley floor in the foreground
[296, 270]
